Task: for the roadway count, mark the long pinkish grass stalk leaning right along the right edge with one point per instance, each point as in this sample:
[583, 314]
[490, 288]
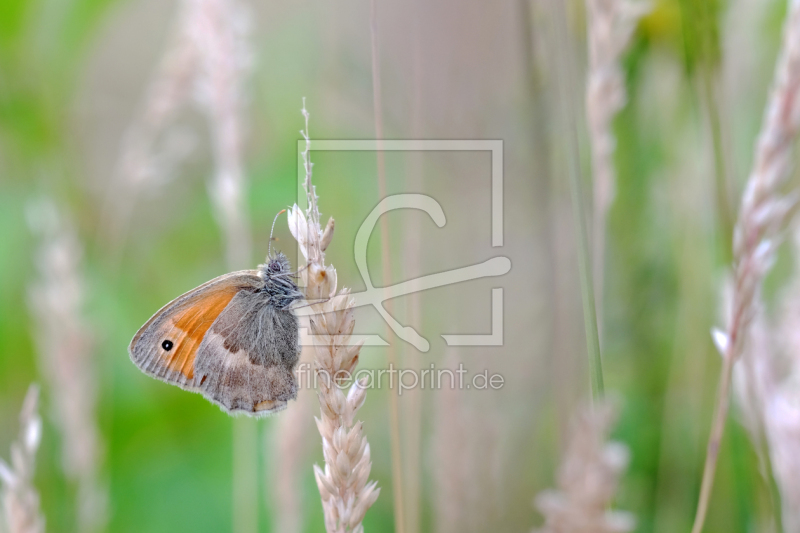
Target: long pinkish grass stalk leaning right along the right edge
[763, 216]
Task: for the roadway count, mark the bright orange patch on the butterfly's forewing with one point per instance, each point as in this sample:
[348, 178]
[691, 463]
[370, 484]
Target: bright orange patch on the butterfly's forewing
[193, 324]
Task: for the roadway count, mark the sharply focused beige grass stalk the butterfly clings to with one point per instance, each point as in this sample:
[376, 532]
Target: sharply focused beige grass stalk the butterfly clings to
[343, 483]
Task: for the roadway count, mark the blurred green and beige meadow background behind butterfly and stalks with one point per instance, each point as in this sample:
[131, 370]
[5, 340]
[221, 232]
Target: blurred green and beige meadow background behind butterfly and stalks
[73, 76]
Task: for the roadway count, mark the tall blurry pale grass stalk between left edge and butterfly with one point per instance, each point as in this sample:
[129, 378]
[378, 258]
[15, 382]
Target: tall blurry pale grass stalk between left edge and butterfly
[65, 346]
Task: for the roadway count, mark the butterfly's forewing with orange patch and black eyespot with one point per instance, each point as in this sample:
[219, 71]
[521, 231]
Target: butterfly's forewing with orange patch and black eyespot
[166, 347]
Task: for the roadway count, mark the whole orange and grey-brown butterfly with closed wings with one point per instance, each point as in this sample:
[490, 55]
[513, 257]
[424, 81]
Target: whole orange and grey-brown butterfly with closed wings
[233, 339]
